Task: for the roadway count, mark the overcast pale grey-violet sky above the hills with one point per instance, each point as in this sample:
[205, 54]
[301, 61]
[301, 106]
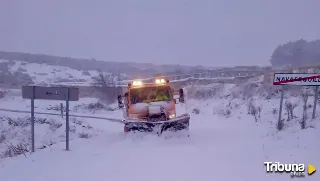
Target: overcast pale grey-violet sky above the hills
[206, 32]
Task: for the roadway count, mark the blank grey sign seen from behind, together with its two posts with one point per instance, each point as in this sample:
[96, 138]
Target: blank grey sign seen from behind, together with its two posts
[50, 93]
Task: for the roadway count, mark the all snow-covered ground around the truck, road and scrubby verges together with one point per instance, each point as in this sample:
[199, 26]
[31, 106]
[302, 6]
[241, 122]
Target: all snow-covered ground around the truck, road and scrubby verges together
[226, 143]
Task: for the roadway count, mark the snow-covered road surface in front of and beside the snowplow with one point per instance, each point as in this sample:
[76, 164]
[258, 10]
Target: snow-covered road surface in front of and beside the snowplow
[217, 150]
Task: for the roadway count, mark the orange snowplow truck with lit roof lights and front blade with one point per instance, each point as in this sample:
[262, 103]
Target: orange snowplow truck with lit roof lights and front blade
[151, 107]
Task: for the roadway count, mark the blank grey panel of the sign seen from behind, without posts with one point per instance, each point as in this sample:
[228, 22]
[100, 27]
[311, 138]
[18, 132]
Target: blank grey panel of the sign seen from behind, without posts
[50, 93]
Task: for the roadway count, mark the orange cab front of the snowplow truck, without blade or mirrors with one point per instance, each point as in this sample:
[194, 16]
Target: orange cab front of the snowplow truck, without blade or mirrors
[150, 101]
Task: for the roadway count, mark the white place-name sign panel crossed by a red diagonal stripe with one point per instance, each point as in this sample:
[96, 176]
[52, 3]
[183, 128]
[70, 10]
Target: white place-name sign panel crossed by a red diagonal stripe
[301, 79]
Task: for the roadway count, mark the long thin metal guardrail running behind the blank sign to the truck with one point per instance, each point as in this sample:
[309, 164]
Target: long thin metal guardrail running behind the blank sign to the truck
[71, 115]
